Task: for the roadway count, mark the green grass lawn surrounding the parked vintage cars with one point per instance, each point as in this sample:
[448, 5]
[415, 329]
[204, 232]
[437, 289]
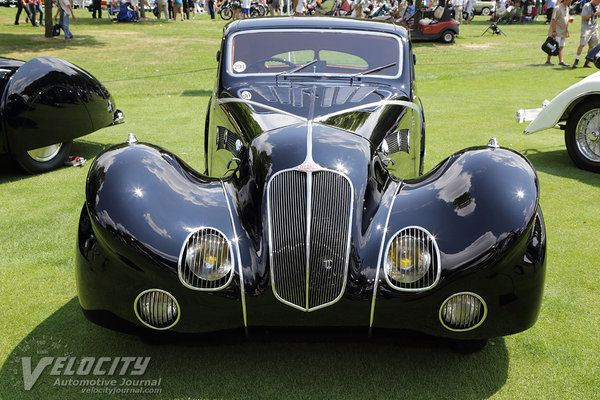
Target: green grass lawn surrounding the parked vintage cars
[161, 75]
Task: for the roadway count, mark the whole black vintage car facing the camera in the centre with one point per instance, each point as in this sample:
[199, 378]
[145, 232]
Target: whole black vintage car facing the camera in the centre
[313, 209]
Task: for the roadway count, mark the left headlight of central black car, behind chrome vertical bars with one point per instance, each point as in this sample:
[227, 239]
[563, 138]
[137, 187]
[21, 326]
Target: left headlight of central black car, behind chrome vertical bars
[207, 260]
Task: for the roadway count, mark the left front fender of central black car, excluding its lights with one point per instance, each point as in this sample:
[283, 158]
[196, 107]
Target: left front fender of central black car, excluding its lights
[142, 202]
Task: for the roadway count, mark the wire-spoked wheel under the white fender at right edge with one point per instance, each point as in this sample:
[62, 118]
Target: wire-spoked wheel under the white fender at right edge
[582, 135]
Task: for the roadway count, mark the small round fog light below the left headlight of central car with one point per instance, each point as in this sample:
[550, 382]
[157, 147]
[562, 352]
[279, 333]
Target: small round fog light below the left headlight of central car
[157, 309]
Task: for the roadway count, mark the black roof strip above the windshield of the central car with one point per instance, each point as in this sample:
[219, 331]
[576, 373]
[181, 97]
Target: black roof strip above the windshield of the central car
[314, 22]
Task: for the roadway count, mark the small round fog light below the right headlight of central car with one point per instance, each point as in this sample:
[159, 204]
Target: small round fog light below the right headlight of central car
[463, 312]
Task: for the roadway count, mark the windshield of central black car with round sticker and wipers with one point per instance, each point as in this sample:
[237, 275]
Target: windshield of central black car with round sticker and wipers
[328, 52]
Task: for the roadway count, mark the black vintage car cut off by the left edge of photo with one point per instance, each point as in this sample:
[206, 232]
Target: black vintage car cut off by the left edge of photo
[45, 103]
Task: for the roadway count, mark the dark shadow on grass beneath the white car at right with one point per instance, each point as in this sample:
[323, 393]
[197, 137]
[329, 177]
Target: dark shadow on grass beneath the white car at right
[558, 163]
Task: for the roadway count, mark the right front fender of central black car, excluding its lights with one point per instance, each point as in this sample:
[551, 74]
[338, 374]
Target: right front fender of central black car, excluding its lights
[481, 205]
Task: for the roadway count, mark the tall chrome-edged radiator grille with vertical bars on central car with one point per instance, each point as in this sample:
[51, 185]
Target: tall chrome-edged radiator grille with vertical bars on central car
[309, 219]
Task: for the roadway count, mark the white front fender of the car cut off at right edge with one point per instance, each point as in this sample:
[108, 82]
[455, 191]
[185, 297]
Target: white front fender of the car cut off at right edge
[555, 111]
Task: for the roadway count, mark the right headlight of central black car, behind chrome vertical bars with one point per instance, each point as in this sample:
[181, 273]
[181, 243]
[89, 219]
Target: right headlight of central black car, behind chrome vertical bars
[412, 260]
